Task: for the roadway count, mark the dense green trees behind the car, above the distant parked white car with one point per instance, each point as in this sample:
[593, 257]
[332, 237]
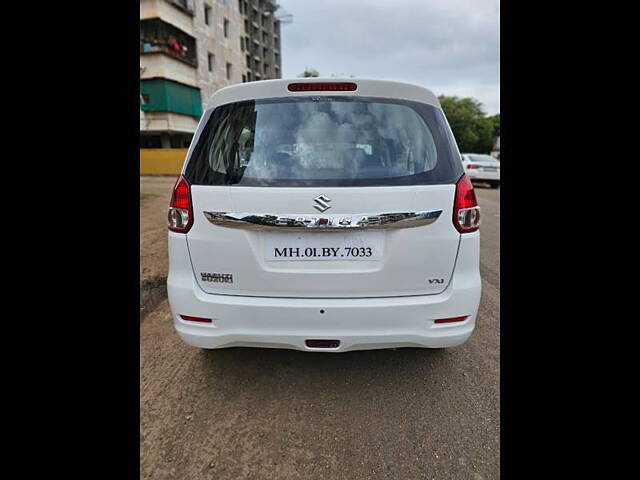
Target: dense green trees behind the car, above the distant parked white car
[473, 130]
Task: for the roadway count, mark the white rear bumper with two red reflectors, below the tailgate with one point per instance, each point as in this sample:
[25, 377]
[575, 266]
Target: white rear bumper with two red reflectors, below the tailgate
[358, 323]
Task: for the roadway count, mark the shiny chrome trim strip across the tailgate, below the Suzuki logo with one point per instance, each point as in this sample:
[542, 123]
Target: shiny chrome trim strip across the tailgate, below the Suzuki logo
[378, 221]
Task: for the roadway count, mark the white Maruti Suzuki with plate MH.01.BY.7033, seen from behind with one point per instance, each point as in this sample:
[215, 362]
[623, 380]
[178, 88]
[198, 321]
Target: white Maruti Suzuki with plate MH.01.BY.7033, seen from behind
[324, 216]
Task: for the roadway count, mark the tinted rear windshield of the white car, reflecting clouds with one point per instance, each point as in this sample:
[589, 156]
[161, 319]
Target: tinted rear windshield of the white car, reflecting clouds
[325, 141]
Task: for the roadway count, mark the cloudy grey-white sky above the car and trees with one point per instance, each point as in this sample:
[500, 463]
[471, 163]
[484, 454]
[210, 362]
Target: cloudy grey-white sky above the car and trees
[452, 47]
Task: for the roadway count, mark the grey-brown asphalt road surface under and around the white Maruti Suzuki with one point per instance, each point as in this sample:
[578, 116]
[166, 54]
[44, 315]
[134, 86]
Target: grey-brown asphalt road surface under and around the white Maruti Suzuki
[261, 413]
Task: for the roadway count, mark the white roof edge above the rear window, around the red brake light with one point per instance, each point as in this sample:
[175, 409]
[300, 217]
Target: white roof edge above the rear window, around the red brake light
[365, 88]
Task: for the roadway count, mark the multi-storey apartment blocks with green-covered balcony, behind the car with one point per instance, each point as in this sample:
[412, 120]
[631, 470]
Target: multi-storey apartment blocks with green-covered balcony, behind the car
[191, 48]
